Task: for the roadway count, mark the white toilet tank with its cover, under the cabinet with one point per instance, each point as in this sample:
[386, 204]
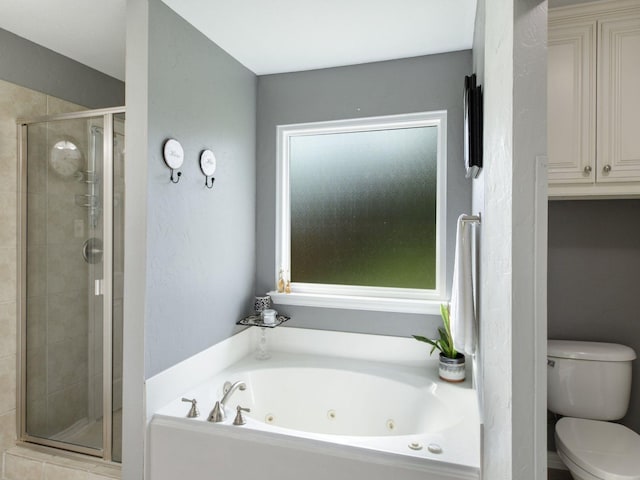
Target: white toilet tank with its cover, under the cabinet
[588, 379]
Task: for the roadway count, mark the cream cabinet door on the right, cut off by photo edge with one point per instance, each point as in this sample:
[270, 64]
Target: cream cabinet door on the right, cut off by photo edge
[619, 99]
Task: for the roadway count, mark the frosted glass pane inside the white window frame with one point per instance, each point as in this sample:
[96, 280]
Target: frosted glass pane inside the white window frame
[363, 208]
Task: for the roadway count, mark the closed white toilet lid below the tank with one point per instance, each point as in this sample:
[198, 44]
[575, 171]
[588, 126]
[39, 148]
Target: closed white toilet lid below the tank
[606, 450]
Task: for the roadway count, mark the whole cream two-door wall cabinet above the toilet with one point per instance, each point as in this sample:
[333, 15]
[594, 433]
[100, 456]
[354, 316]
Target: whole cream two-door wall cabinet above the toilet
[594, 100]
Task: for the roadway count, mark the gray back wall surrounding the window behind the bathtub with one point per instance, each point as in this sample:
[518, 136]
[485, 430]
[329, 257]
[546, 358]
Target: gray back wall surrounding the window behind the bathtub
[394, 87]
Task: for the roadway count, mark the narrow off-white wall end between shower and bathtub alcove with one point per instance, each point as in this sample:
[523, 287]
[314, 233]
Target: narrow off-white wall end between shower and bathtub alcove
[135, 238]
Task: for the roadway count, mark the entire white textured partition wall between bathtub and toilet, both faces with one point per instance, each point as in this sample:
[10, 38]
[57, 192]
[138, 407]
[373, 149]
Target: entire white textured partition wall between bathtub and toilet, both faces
[513, 63]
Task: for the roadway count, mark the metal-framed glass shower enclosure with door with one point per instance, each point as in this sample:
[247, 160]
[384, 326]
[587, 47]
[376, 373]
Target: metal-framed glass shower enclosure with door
[71, 242]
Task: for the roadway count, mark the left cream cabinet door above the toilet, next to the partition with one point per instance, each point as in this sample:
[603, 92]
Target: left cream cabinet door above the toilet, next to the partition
[571, 102]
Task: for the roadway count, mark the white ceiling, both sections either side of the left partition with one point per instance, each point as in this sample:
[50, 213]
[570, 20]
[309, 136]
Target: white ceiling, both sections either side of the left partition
[266, 36]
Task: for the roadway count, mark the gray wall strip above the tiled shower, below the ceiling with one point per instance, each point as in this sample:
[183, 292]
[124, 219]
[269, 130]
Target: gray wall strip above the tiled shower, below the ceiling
[27, 64]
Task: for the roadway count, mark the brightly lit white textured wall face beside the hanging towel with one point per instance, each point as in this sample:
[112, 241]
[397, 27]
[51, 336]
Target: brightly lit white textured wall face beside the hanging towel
[495, 259]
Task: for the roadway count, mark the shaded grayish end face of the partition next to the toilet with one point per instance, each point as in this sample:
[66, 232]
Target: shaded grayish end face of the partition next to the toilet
[528, 314]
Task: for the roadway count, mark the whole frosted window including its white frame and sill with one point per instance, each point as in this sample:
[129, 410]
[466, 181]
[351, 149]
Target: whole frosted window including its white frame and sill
[360, 213]
